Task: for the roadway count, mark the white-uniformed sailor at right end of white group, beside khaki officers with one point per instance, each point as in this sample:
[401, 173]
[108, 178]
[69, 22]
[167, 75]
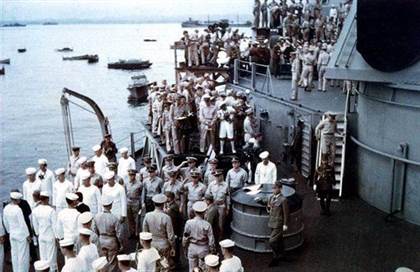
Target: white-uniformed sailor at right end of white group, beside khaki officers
[116, 192]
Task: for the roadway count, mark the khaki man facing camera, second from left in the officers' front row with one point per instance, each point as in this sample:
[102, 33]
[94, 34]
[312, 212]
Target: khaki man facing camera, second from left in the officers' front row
[151, 186]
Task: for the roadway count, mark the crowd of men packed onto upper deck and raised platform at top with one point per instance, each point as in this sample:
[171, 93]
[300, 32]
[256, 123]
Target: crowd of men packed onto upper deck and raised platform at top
[302, 41]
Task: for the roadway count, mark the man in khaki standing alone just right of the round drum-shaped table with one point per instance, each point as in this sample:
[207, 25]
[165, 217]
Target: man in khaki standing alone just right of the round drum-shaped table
[278, 210]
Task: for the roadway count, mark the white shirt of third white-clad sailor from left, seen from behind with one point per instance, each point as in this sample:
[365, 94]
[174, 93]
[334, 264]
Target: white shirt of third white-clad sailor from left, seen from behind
[67, 224]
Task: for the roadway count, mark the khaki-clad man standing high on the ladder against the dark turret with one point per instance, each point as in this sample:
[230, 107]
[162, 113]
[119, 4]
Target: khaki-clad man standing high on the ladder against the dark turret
[325, 132]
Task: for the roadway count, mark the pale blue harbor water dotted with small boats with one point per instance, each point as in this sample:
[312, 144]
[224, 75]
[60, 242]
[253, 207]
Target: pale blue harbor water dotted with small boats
[30, 113]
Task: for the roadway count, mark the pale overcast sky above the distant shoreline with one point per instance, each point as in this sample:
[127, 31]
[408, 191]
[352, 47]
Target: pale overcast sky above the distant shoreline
[139, 10]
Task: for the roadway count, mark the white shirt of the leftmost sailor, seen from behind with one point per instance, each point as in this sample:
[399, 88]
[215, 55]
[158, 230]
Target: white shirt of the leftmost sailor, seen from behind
[14, 222]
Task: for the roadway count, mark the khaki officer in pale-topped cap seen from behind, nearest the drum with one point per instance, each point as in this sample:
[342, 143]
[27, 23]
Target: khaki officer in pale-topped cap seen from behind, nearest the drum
[198, 237]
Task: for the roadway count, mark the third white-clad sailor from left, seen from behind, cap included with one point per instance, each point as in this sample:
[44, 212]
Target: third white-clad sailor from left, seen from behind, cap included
[67, 223]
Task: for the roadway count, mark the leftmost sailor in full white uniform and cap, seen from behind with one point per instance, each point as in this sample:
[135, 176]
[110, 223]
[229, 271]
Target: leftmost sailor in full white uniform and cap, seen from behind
[15, 225]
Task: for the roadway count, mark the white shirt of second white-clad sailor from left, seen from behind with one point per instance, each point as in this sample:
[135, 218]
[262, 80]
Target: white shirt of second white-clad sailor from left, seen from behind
[44, 220]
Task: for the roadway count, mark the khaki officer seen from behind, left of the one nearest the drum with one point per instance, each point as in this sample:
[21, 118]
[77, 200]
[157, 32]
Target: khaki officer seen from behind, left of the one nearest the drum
[159, 224]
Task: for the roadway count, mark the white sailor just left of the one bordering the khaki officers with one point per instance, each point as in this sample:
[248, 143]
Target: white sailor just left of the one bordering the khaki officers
[91, 193]
